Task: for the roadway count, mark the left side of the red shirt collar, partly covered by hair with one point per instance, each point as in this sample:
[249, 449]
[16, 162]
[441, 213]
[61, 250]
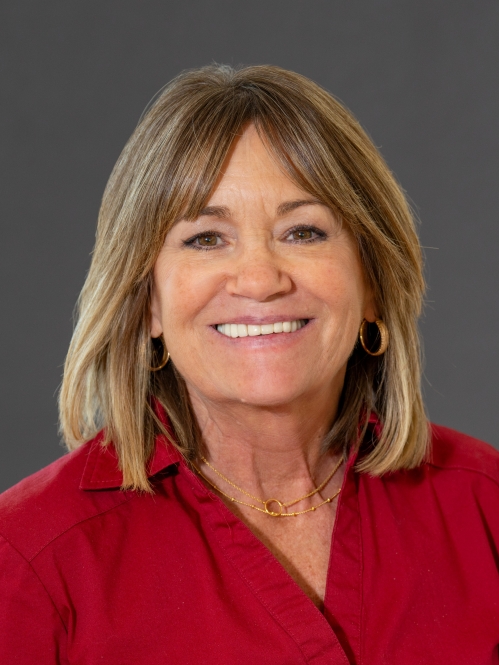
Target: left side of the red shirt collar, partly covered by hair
[102, 470]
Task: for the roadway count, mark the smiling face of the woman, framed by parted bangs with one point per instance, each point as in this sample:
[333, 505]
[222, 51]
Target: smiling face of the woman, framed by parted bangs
[262, 257]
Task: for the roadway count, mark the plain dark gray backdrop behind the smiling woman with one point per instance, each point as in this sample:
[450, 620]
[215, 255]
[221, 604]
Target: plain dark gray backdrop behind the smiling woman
[421, 76]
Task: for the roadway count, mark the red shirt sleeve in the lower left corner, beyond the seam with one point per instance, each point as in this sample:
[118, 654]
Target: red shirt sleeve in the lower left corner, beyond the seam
[31, 629]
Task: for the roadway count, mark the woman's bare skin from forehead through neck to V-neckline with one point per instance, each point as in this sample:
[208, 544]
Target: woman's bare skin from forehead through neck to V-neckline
[264, 403]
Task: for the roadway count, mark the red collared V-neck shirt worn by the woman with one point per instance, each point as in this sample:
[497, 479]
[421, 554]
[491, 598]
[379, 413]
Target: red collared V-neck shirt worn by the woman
[91, 574]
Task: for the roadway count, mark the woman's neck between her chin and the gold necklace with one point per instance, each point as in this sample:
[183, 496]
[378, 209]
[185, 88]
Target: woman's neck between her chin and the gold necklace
[272, 451]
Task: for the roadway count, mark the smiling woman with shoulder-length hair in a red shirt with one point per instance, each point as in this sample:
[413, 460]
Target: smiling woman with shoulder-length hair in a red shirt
[253, 478]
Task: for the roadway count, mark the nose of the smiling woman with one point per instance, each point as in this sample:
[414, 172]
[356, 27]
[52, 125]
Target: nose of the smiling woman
[258, 275]
